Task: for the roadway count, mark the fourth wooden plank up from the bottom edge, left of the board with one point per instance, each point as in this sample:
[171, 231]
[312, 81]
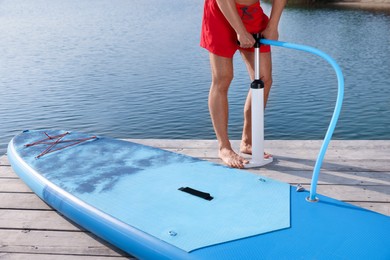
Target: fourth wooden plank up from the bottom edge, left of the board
[22, 201]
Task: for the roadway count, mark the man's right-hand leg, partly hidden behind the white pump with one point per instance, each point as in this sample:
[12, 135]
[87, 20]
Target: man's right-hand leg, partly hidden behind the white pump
[266, 77]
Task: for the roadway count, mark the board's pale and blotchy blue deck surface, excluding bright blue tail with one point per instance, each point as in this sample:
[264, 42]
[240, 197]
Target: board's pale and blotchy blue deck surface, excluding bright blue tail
[140, 186]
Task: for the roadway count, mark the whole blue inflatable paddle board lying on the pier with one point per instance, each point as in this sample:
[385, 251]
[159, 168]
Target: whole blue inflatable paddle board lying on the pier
[156, 204]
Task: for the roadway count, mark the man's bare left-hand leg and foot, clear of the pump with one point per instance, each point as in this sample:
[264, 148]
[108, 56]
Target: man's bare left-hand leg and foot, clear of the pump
[222, 75]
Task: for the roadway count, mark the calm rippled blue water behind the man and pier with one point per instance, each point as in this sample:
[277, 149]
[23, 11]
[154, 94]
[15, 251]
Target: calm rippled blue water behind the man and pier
[134, 69]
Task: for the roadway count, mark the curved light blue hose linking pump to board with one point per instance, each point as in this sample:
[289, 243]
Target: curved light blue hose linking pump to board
[336, 112]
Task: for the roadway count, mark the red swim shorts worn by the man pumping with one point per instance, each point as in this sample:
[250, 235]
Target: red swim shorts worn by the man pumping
[219, 37]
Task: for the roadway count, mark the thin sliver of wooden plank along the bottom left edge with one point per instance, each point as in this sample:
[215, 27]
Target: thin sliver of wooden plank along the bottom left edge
[21, 256]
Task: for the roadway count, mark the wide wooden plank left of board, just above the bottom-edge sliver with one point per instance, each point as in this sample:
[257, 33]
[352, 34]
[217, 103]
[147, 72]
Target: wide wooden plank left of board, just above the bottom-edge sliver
[54, 242]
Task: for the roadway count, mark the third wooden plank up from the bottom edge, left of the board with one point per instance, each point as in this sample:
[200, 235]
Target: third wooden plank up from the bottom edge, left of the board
[35, 220]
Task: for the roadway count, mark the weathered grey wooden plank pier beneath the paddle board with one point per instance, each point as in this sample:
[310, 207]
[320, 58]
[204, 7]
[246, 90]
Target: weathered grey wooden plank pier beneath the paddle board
[354, 171]
